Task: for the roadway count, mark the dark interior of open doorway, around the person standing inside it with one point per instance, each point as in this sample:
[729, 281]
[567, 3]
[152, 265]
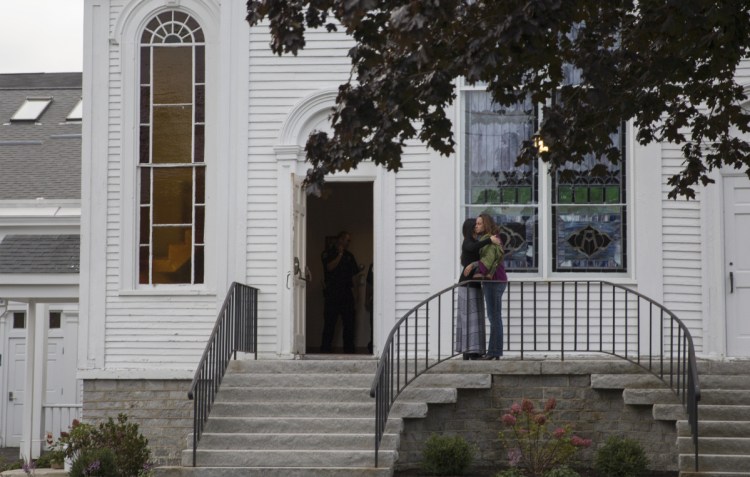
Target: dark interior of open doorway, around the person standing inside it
[343, 206]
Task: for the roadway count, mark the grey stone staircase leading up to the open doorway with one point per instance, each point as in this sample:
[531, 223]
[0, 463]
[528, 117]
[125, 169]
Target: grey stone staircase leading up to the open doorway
[307, 418]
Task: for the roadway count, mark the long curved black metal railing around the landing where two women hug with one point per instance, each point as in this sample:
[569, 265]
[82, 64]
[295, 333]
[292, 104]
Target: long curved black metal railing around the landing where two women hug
[547, 316]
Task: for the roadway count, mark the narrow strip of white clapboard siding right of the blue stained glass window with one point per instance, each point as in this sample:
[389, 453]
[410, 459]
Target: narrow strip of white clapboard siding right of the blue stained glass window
[681, 242]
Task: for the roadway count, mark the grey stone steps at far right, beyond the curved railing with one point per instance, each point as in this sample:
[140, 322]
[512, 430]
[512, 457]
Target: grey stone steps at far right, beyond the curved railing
[723, 415]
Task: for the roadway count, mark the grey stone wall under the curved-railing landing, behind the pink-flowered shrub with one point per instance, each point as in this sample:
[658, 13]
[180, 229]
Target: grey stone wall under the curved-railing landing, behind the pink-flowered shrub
[591, 414]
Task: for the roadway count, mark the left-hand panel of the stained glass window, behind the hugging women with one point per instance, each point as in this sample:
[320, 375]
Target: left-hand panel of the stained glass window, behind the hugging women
[493, 137]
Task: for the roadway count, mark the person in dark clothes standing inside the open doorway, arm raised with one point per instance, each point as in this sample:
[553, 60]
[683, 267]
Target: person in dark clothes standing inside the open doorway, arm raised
[340, 269]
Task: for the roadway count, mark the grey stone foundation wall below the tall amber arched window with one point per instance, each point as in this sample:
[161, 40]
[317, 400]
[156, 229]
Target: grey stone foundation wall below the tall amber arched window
[159, 407]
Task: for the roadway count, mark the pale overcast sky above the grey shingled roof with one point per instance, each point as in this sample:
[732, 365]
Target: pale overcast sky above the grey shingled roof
[41, 36]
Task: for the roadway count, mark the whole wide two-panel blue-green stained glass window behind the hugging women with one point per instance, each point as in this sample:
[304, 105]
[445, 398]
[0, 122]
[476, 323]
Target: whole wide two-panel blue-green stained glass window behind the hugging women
[580, 218]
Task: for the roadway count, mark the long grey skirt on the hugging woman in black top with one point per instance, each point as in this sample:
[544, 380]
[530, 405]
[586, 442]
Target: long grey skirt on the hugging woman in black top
[470, 327]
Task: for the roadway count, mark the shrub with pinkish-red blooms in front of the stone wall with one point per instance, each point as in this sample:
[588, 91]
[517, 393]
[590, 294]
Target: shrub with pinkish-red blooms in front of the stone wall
[534, 443]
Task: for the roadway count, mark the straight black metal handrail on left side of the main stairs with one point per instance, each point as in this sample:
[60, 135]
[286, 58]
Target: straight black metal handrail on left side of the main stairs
[236, 329]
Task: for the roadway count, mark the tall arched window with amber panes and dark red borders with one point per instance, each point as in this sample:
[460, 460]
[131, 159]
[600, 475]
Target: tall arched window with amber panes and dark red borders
[171, 167]
